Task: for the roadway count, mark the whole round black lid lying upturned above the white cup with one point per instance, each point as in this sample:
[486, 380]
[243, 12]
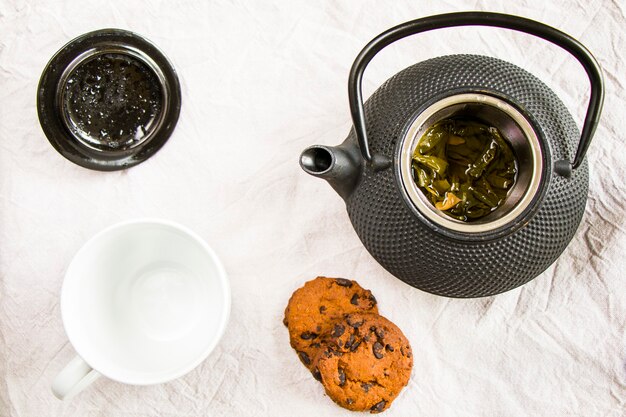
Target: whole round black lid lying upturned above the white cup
[108, 100]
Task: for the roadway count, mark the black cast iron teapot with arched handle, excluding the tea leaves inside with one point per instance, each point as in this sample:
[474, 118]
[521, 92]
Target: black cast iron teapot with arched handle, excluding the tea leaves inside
[372, 170]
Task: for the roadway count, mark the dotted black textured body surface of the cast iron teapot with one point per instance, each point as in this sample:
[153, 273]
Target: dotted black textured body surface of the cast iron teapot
[410, 248]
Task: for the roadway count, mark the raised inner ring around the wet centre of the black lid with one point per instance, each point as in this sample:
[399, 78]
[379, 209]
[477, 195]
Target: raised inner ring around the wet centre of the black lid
[121, 49]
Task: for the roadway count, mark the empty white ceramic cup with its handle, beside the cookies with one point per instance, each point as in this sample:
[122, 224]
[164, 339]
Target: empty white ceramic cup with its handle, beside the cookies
[143, 302]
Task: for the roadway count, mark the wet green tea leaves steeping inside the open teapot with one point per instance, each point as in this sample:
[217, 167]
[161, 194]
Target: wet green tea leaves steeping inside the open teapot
[464, 167]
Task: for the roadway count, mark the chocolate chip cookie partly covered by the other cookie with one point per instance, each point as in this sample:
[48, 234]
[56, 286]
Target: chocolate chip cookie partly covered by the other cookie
[313, 308]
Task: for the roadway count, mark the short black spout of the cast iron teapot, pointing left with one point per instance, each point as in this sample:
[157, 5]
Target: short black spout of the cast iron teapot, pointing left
[339, 165]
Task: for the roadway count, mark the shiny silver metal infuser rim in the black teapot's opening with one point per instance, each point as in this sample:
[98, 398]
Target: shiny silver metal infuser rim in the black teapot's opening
[518, 131]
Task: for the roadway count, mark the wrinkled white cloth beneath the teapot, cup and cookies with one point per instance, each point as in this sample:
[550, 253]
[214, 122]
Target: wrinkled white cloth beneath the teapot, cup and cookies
[260, 82]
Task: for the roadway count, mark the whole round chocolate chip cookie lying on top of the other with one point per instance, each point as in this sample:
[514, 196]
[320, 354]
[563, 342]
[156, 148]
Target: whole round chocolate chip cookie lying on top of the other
[365, 362]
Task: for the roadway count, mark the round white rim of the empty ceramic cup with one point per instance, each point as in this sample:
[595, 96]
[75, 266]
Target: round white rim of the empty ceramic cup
[162, 376]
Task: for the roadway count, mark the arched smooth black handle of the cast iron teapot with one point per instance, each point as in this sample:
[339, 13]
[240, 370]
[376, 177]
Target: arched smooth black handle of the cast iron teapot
[571, 45]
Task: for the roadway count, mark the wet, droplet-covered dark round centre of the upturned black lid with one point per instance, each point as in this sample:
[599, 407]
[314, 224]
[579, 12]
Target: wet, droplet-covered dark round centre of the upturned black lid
[112, 101]
